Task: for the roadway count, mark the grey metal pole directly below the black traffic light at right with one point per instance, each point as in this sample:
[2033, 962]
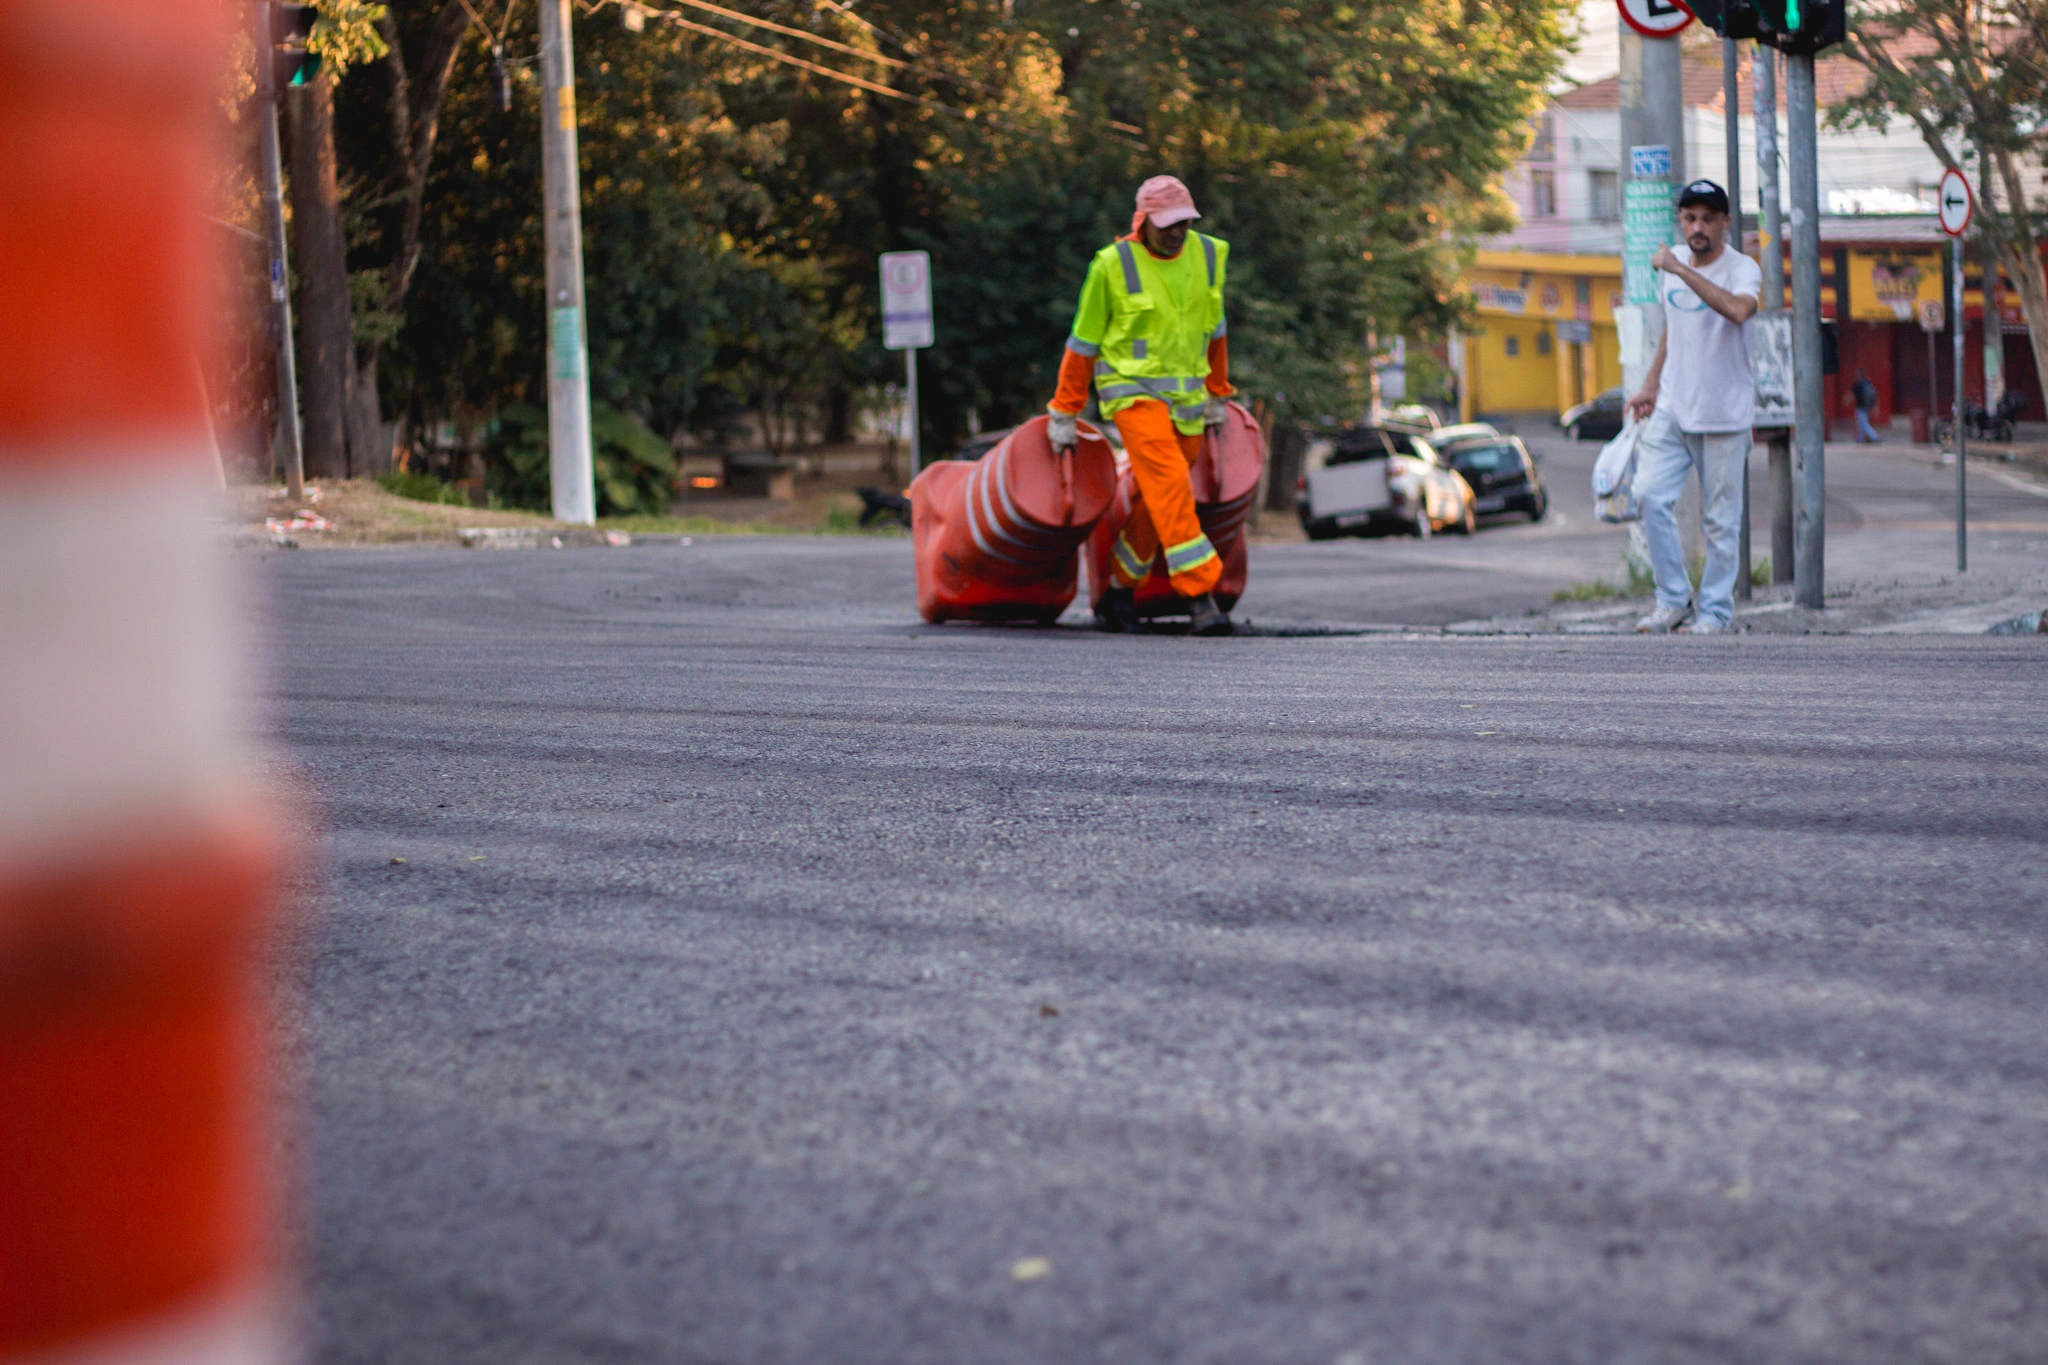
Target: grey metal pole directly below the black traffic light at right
[1809, 466]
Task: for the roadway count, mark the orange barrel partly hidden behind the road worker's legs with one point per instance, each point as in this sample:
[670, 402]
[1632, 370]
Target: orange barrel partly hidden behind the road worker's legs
[1226, 484]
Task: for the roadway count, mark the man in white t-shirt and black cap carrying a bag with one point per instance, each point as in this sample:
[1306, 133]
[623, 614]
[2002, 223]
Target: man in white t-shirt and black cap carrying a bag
[1701, 404]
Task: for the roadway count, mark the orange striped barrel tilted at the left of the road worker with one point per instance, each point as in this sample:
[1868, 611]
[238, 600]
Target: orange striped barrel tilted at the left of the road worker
[998, 539]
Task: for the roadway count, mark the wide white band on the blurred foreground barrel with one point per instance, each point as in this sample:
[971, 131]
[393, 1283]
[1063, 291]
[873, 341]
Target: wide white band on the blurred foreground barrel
[120, 674]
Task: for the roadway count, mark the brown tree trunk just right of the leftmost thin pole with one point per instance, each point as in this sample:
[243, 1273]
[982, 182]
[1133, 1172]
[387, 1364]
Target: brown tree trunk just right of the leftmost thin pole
[327, 339]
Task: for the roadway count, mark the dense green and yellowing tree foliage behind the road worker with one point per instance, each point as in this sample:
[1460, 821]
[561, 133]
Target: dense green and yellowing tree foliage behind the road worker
[734, 204]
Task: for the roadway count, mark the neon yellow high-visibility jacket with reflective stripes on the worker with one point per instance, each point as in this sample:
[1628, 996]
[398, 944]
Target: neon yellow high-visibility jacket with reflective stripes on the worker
[1148, 324]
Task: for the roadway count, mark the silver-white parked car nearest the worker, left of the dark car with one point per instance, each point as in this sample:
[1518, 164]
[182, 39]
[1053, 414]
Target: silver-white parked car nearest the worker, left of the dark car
[1375, 480]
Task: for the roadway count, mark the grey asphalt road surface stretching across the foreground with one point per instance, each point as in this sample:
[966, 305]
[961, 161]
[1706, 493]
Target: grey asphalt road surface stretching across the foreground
[775, 979]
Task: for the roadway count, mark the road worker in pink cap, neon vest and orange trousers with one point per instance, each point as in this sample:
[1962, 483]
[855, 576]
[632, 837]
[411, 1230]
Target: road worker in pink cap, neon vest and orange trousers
[1150, 335]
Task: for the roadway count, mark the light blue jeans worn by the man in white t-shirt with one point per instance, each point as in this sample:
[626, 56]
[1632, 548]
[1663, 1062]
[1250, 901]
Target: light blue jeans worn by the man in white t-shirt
[1664, 459]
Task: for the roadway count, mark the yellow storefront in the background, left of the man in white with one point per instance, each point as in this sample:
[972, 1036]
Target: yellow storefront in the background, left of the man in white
[1545, 337]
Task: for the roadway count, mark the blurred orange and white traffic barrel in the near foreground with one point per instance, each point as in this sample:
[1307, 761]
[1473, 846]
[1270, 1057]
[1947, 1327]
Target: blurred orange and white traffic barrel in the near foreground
[138, 867]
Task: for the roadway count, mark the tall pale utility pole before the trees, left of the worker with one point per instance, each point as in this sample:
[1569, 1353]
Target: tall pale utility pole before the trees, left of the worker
[568, 353]
